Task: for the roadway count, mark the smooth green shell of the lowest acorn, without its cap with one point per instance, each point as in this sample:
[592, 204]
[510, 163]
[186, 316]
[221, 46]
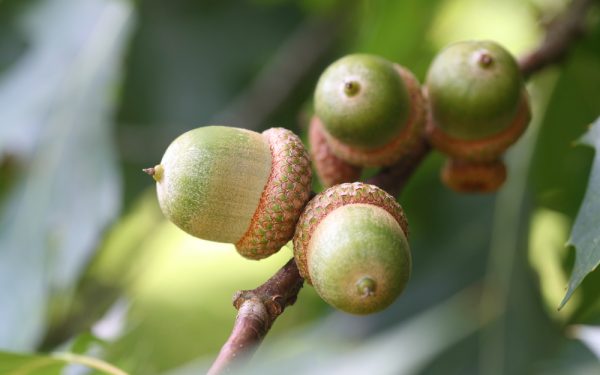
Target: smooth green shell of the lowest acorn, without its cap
[354, 243]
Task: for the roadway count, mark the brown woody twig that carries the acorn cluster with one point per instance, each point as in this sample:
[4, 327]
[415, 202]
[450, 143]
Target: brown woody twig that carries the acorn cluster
[258, 308]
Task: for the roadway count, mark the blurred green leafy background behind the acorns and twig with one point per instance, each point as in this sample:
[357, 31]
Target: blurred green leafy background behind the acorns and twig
[92, 91]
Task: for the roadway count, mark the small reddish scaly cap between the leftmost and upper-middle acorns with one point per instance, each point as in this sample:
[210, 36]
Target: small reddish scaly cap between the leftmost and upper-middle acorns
[330, 169]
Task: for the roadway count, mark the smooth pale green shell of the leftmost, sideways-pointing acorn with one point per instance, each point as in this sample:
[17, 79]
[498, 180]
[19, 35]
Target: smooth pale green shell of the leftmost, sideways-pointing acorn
[212, 179]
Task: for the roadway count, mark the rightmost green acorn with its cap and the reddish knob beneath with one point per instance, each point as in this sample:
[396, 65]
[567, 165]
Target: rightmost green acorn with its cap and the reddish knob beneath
[478, 108]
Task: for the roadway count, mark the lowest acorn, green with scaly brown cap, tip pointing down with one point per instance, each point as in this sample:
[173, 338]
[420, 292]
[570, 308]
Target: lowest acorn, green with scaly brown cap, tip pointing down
[351, 244]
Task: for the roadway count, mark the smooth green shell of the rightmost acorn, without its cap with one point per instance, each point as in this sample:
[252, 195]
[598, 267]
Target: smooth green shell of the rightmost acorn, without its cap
[474, 89]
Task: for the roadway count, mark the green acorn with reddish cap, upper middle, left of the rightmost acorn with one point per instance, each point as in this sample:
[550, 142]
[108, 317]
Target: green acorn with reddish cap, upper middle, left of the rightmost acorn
[372, 110]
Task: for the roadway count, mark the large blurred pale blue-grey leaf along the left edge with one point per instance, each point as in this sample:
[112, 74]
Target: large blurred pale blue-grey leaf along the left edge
[55, 103]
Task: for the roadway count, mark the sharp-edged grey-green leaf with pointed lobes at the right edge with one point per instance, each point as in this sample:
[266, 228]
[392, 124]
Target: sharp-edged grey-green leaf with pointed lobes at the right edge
[585, 236]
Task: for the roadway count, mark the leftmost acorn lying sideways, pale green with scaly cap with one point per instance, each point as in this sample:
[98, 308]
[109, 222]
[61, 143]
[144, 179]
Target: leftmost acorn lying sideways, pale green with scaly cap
[236, 186]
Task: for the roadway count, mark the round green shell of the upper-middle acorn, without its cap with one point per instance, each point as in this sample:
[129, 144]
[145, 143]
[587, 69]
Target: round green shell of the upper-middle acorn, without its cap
[362, 101]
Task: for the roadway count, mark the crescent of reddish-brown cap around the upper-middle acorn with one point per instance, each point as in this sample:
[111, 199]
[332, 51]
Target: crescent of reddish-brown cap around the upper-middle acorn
[410, 135]
